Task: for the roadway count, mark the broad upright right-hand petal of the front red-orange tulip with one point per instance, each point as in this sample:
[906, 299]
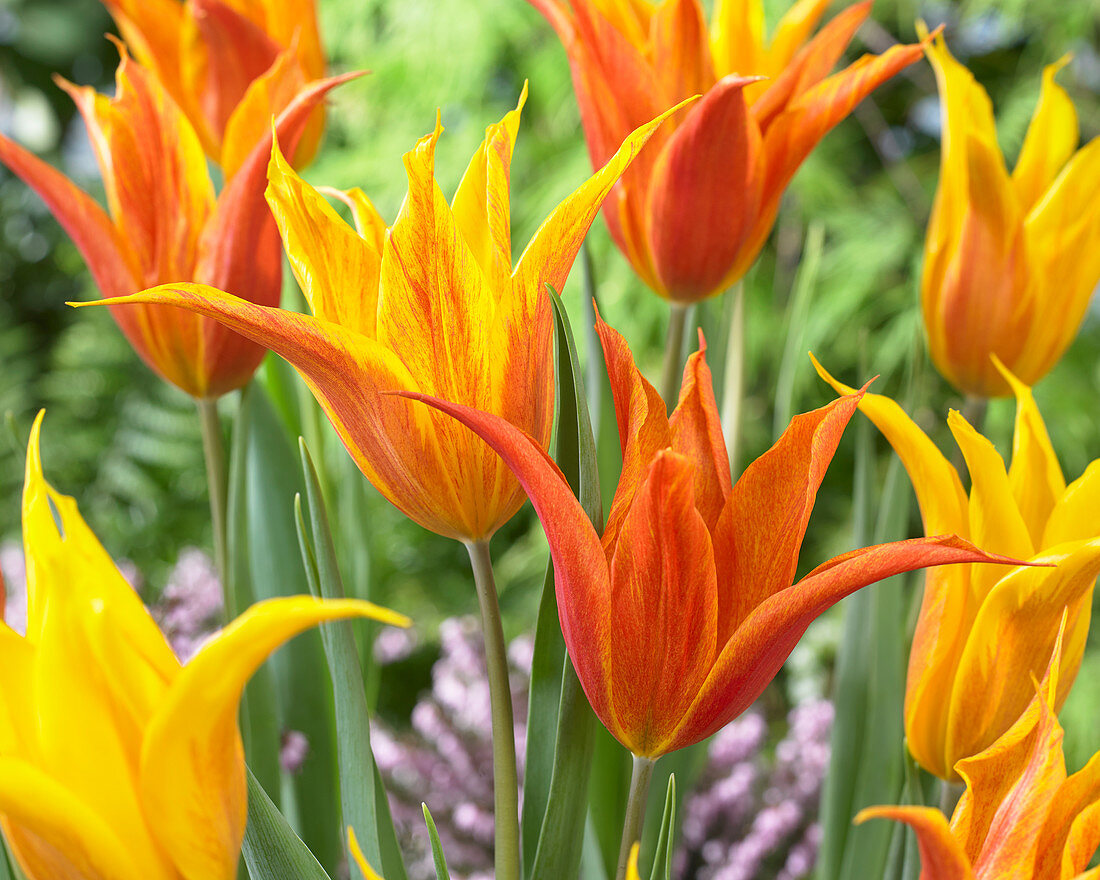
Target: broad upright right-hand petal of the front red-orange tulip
[761, 532]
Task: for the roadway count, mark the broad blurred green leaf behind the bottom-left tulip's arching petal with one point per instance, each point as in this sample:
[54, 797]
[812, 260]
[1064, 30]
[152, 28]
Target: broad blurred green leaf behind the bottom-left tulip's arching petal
[303, 699]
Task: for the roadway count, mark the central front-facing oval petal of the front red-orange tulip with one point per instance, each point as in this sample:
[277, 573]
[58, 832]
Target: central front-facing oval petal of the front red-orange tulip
[664, 603]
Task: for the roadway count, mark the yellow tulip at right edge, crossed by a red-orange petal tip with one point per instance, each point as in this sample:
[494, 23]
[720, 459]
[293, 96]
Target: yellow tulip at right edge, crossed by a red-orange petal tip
[984, 633]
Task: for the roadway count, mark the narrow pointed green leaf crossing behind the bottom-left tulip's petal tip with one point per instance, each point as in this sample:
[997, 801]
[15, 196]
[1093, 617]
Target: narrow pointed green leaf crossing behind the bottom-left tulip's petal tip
[355, 760]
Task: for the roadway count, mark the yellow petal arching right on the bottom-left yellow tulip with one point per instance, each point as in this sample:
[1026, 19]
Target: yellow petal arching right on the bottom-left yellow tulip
[192, 765]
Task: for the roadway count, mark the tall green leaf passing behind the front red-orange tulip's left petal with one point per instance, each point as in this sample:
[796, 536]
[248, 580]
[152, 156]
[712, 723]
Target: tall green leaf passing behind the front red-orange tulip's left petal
[560, 722]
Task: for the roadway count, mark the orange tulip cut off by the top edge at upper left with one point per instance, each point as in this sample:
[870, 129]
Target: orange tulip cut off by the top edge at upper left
[230, 65]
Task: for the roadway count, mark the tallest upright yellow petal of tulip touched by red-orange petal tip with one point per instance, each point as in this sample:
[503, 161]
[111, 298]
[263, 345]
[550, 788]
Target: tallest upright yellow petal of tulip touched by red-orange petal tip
[1035, 476]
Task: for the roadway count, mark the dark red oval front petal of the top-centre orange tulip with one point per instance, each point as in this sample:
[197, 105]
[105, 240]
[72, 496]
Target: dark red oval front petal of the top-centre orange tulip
[703, 193]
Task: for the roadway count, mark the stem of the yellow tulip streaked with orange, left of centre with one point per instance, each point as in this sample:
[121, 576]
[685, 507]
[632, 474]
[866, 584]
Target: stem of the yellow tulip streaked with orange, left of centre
[505, 780]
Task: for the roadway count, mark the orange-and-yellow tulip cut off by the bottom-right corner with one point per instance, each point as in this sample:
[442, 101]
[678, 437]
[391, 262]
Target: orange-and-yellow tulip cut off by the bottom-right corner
[1021, 818]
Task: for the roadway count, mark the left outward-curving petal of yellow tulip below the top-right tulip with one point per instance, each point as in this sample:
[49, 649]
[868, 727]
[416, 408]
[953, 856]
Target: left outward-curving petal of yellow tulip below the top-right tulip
[944, 505]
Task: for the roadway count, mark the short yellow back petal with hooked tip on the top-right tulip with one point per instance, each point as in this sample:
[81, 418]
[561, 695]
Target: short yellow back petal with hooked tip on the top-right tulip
[1051, 140]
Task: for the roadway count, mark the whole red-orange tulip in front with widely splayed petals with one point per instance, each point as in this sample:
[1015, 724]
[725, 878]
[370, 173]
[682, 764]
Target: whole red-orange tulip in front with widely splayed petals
[684, 611]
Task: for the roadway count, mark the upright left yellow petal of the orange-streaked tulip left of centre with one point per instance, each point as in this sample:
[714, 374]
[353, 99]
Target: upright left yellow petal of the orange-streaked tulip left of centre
[337, 269]
